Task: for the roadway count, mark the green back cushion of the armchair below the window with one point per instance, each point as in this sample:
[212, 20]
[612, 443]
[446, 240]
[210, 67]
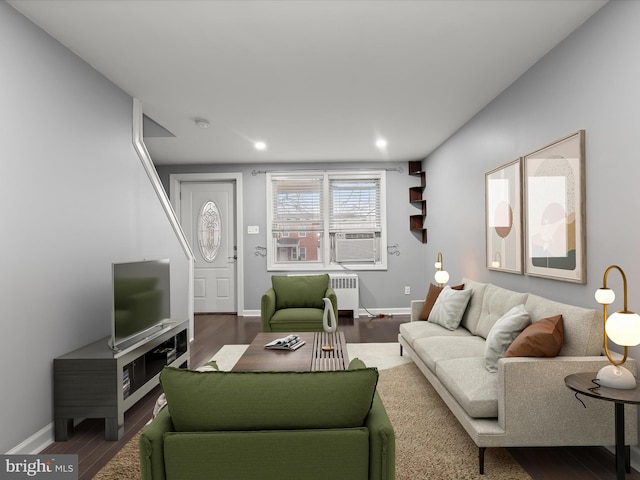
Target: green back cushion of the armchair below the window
[302, 291]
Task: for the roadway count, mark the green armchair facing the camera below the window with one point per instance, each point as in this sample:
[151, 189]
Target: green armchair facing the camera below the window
[294, 304]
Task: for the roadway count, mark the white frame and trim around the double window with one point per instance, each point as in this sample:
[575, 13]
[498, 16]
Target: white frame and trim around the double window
[326, 240]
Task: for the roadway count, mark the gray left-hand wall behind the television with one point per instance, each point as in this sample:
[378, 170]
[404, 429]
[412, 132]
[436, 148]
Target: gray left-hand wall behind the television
[74, 199]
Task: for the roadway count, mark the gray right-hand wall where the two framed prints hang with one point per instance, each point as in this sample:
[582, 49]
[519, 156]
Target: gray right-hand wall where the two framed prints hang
[590, 81]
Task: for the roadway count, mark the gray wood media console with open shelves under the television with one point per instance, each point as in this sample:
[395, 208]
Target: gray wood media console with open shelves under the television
[96, 382]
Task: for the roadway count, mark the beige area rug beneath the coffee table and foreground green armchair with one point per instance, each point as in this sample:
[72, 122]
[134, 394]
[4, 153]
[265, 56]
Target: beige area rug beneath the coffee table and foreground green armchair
[430, 443]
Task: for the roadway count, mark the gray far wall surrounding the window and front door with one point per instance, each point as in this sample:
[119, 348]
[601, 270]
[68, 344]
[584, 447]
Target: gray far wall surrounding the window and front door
[379, 290]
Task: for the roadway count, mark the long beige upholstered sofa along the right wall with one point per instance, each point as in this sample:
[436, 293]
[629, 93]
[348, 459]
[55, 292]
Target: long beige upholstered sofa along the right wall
[526, 402]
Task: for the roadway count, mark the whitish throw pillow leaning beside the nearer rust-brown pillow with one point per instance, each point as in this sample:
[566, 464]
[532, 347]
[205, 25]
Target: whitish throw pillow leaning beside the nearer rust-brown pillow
[502, 334]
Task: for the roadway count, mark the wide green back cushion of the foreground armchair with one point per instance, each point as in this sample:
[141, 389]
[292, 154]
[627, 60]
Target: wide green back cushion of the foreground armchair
[229, 401]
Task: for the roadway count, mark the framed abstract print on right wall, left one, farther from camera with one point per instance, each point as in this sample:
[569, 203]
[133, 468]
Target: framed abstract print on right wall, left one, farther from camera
[503, 218]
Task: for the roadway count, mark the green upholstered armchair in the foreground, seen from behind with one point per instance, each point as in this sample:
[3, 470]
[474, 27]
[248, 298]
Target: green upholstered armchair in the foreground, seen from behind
[269, 426]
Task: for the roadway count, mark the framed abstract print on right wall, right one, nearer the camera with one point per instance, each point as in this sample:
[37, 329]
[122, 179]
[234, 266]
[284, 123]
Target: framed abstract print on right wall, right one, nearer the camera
[555, 226]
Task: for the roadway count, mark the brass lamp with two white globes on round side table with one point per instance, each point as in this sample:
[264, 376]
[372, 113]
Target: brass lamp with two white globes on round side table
[623, 328]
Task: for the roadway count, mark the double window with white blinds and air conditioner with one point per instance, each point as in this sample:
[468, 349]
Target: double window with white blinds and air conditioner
[320, 221]
